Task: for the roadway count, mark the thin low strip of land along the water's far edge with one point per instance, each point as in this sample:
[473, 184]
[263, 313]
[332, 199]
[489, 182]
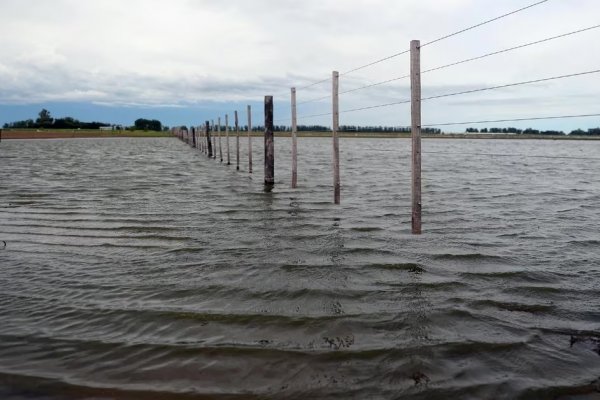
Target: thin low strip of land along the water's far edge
[9, 134]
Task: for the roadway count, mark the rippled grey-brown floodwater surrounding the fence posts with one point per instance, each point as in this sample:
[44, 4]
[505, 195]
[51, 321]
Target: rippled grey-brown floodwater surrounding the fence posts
[141, 269]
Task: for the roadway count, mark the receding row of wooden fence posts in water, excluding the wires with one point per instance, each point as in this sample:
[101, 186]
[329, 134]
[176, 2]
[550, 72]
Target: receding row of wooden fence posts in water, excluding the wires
[269, 159]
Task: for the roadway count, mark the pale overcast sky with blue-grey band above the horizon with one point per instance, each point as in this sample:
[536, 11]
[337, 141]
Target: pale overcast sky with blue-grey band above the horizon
[184, 61]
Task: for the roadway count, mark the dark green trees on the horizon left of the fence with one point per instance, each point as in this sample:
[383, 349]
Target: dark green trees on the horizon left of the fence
[45, 121]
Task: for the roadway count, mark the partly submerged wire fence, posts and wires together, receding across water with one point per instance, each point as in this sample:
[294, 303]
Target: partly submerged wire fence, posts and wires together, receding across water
[208, 138]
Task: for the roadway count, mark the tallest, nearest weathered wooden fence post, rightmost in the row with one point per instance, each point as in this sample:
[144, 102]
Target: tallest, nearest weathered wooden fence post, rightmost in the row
[415, 88]
